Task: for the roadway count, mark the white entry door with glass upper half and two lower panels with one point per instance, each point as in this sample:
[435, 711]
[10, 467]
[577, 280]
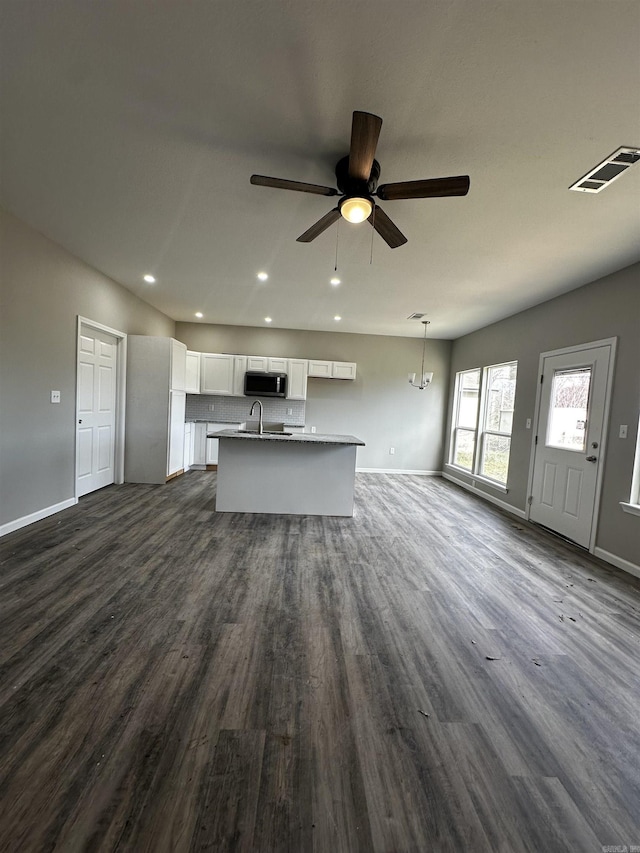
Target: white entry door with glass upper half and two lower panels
[569, 439]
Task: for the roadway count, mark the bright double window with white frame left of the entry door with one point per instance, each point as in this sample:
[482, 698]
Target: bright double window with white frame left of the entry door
[482, 420]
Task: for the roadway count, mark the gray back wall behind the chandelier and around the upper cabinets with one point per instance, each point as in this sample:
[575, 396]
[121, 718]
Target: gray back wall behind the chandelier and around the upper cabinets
[380, 407]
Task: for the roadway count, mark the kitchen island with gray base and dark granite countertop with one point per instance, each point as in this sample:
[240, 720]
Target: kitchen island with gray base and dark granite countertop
[297, 474]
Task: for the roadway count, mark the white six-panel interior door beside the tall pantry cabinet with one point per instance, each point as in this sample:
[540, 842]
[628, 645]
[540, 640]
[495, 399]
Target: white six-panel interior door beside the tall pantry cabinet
[96, 409]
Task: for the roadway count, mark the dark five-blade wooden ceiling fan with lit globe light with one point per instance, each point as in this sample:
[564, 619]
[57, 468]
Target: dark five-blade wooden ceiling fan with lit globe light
[357, 177]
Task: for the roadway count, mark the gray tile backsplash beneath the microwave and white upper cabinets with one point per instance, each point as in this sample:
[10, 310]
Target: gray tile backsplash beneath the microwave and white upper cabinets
[235, 410]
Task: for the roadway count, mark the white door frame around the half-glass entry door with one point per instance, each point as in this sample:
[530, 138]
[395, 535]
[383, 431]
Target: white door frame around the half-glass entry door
[605, 342]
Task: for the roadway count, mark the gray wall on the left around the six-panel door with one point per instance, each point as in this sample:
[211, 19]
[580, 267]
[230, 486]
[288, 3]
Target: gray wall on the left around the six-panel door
[43, 289]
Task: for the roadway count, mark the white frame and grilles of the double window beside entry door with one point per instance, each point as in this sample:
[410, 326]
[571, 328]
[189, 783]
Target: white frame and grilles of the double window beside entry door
[481, 430]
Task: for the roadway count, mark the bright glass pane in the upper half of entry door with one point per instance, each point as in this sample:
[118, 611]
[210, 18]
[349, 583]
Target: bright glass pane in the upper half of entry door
[569, 409]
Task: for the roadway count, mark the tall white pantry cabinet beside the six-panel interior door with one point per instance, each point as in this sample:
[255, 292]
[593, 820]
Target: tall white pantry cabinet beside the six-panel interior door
[156, 400]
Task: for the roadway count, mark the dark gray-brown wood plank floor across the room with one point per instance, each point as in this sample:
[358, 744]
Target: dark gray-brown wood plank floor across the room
[431, 675]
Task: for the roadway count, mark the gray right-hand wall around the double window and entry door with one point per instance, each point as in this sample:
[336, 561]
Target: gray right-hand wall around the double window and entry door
[606, 308]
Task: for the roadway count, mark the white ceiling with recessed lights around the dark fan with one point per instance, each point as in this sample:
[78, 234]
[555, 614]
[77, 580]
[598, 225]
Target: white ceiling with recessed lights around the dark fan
[130, 130]
